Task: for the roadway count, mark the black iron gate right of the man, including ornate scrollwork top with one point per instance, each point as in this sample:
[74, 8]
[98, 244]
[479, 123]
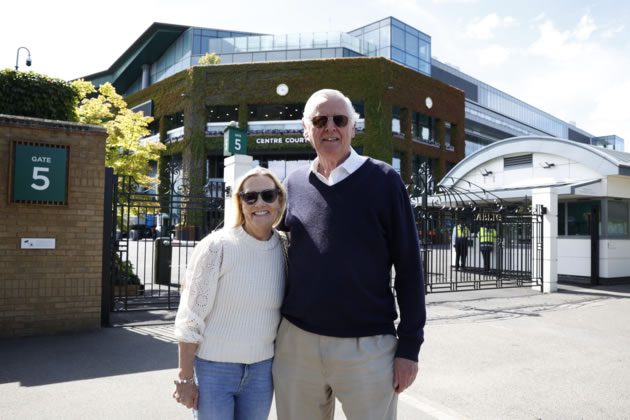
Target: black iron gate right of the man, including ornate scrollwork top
[497, 245]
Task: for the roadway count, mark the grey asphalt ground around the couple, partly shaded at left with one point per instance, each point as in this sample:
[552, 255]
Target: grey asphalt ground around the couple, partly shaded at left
[496, 354]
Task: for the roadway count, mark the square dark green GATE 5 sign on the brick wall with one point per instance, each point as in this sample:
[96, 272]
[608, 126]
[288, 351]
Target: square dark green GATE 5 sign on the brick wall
[40, 173]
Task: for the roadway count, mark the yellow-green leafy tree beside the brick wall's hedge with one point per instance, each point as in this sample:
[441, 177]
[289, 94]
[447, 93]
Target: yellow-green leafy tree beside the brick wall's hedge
[125, 151]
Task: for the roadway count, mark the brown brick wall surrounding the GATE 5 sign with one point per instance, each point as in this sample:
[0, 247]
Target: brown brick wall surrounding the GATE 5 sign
[49, 291]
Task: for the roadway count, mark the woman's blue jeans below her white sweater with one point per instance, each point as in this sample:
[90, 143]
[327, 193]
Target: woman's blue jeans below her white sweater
[233, 390]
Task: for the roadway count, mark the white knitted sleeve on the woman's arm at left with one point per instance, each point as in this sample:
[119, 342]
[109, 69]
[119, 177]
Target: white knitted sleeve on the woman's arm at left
[200, 286]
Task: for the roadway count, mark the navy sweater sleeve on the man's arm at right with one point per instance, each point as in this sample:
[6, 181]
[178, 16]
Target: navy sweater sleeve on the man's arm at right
[409, 282]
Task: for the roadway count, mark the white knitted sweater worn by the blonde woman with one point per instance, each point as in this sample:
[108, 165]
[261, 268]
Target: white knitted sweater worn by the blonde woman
[232, 294]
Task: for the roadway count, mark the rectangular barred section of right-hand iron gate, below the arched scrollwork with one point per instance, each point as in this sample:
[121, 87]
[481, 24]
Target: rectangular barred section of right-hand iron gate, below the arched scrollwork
[496, 249]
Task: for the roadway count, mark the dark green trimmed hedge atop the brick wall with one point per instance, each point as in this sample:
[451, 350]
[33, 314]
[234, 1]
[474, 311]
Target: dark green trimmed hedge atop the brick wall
[36, 95]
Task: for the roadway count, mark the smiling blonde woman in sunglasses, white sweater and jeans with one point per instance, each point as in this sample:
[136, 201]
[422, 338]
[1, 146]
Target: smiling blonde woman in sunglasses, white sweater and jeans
[230, 308]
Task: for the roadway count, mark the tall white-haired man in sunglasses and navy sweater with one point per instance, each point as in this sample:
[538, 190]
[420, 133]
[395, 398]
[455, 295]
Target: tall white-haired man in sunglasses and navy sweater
[350, 219]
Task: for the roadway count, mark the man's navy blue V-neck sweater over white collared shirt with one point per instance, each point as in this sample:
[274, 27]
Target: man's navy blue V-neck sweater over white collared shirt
[344, 240]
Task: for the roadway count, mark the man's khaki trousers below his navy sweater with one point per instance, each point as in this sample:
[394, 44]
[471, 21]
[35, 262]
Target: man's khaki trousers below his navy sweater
[311, 370]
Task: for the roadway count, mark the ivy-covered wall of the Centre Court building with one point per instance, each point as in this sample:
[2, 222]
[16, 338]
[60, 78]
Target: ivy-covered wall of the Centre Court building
[377, 82]
